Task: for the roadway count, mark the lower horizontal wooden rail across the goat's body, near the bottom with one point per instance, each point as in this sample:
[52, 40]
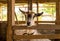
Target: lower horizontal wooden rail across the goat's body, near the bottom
[49, 36]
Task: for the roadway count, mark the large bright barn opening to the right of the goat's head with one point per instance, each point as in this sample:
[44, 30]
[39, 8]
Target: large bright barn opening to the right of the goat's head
[49, 10]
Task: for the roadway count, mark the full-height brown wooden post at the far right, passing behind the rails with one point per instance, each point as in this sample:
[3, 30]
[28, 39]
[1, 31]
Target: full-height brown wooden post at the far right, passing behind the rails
[57, 18]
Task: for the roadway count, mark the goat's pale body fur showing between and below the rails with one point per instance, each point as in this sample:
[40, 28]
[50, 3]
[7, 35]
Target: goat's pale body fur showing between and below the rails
[20, 32]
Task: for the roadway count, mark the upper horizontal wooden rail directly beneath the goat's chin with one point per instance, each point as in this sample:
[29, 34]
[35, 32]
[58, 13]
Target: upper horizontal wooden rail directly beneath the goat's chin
[41, 26]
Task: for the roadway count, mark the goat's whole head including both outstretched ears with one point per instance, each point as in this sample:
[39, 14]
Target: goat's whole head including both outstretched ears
[30, 17]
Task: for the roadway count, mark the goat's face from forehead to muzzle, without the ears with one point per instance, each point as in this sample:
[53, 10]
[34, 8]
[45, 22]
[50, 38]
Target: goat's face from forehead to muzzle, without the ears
[30, 18]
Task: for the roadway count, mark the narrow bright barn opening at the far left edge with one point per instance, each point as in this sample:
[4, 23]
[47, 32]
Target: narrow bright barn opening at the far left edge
[3, 12]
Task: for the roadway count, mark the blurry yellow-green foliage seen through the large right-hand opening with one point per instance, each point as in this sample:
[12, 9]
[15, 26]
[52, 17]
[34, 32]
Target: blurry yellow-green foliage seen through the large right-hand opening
[48, 8]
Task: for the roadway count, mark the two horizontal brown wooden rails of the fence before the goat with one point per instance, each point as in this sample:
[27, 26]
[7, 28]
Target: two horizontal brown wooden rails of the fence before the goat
[42, 36]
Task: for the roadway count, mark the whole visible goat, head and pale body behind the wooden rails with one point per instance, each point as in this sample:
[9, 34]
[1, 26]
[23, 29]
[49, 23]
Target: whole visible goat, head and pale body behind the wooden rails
[30, 22]
